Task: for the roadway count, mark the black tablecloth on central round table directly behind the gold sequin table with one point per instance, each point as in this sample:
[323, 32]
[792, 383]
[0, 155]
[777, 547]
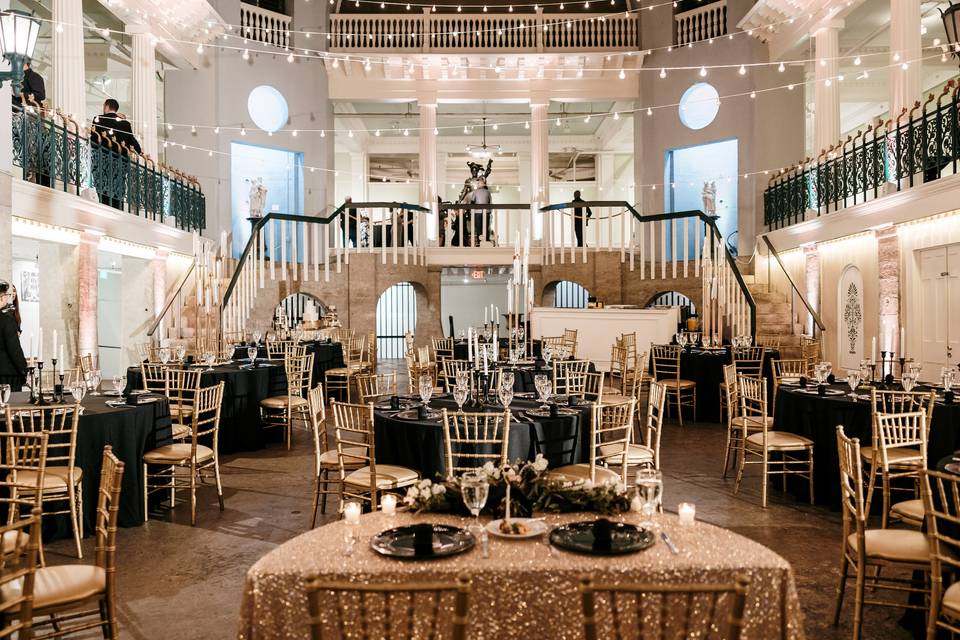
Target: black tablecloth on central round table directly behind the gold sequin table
[418, 444]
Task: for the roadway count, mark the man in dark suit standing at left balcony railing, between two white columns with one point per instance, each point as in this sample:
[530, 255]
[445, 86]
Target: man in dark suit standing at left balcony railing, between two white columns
[110, 164]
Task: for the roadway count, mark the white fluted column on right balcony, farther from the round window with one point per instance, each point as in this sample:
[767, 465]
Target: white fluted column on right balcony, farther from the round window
[904, 49]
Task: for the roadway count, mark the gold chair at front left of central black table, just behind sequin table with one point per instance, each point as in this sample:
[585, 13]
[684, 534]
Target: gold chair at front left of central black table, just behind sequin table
[362, 477]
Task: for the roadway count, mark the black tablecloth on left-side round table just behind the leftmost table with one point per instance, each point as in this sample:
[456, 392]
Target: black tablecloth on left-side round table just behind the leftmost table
[244, 388]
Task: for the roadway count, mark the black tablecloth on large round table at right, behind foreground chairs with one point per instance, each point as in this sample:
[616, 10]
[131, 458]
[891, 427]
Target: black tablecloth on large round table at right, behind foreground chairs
[816, 417]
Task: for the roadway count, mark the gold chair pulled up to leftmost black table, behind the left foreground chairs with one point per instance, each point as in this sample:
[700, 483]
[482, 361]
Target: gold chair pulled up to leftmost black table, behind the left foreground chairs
[62, 479]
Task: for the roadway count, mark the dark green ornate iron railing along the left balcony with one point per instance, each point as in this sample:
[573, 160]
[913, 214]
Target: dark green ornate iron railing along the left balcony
[59, 156]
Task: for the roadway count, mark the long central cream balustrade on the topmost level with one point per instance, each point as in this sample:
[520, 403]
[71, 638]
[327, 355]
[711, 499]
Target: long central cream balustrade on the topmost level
[484, 32]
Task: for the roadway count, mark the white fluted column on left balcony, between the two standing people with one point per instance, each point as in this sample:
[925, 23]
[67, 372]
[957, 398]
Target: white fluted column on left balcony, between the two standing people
[69, 90]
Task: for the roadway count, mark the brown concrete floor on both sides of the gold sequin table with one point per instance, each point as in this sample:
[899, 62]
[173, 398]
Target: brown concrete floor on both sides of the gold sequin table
[183, 582]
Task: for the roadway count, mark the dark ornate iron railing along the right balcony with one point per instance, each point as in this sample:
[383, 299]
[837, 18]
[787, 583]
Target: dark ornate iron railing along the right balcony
[921, 146]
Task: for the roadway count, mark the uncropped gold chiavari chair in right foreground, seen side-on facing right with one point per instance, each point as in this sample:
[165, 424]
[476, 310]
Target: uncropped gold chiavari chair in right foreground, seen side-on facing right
[865, 549]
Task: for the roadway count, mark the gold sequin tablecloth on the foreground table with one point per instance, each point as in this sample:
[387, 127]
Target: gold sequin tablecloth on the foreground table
[520, 591]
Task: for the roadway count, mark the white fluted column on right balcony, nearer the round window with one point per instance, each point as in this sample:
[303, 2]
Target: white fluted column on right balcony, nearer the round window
[826, 92]
